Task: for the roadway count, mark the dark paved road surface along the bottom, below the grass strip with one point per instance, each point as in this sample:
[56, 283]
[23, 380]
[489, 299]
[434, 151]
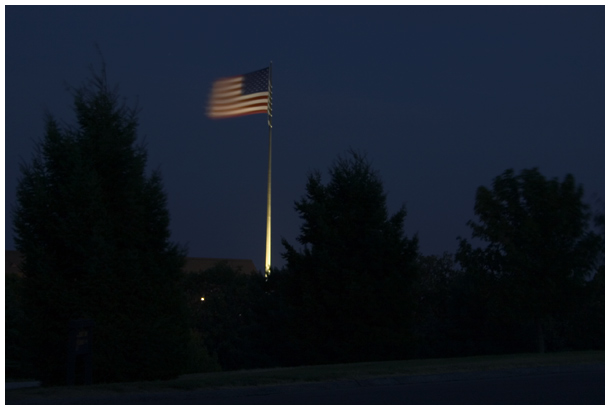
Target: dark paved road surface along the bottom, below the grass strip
[577, 384]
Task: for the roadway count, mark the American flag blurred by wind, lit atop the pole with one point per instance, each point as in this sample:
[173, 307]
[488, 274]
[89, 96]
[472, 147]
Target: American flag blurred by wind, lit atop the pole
[240, 95]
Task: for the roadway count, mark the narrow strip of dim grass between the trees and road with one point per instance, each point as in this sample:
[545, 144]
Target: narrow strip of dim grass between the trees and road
[306, 374]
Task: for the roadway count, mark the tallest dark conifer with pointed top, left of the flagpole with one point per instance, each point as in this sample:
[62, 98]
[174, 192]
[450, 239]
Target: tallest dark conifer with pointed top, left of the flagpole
[93, 230]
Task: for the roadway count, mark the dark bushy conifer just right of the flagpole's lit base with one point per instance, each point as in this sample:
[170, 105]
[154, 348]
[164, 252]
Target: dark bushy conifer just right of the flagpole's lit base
[355, 270]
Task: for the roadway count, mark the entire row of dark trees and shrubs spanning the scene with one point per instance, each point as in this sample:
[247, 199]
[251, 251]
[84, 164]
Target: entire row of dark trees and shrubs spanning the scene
[93, 230]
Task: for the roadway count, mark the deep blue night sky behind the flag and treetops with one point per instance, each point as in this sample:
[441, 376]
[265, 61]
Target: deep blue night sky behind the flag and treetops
[441, 99]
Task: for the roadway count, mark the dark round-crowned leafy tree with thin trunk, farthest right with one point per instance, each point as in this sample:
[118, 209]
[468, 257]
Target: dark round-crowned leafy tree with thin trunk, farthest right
[539, 245]
